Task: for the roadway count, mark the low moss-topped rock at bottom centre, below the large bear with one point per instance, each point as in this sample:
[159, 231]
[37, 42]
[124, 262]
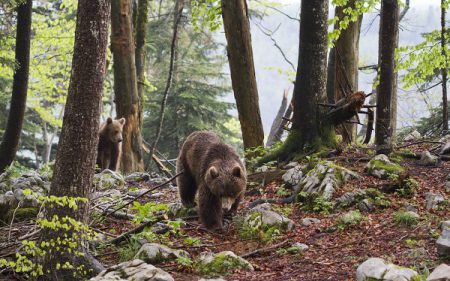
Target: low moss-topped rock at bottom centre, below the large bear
[221, 262]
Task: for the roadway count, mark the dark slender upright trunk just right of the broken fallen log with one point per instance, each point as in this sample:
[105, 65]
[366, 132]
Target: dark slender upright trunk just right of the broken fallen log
[388, 42]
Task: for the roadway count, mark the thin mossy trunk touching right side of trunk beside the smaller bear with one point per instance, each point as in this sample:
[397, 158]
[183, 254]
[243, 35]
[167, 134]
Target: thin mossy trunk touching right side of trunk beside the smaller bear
[141, 34]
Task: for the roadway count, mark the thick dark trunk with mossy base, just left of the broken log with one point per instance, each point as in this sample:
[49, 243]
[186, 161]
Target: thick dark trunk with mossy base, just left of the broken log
[310, 82]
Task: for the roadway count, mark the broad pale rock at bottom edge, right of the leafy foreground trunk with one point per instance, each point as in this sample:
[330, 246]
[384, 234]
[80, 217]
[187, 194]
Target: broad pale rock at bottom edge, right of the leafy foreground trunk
[136, 270]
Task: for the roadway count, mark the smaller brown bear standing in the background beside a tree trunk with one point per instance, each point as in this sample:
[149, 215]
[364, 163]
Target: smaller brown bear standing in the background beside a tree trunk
[110, 144]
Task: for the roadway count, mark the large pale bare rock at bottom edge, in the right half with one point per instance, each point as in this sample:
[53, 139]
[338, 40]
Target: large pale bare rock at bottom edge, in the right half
[378, 269]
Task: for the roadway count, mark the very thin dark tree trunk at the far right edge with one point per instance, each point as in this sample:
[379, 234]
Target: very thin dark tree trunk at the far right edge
[444, 72]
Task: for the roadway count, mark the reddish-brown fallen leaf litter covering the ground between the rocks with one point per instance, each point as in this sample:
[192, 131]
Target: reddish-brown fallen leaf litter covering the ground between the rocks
[333, 254]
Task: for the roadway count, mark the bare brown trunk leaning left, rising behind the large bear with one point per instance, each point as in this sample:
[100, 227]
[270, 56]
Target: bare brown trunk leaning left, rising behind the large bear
[240, 57]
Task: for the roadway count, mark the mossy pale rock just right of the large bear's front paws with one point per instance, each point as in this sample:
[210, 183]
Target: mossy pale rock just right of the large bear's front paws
[262, 215]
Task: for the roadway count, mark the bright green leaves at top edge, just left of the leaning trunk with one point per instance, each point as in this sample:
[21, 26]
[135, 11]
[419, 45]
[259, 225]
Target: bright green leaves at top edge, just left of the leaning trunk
[206, 14]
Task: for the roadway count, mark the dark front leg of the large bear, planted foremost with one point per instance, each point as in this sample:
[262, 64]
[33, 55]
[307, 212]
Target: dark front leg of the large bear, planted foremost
[210, 209]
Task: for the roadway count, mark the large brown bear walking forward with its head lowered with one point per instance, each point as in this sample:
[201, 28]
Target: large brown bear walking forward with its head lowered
[213, 172]
